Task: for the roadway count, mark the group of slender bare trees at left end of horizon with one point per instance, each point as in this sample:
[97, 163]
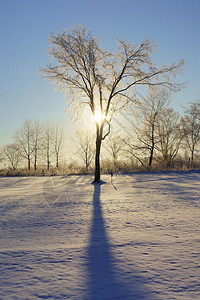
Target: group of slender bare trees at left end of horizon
[35, 144]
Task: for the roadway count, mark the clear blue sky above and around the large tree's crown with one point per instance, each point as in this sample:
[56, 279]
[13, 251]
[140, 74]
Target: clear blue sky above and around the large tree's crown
[25, 26]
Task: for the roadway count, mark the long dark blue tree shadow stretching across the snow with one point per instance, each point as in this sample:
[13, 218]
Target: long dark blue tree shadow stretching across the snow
[103, 278]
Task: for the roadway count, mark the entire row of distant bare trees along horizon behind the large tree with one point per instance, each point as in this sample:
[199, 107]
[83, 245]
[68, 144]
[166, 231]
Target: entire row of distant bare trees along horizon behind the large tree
[149, 136]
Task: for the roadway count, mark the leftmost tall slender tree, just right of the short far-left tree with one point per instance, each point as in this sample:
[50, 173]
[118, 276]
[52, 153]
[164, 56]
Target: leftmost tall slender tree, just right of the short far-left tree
[23, 138]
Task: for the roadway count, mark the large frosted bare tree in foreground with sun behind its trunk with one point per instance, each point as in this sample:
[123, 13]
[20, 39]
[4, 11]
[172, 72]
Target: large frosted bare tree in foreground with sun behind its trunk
[102, 79]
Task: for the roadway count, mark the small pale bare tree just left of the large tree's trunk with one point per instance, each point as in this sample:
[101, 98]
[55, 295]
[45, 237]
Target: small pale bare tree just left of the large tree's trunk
[84, 143]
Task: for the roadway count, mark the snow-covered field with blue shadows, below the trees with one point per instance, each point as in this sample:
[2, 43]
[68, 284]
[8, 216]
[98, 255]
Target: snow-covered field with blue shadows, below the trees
[135, 238]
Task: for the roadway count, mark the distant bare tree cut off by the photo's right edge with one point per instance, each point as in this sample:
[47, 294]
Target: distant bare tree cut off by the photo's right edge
[191, 128]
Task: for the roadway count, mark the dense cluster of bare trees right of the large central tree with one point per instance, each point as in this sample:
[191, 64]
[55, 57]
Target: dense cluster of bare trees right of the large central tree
[158, 136]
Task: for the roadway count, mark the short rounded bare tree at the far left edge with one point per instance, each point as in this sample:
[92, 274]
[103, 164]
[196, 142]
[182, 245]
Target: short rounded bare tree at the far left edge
[12, 154]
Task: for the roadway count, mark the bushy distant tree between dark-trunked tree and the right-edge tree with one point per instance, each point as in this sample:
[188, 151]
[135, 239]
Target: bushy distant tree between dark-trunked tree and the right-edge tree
[170, 135]
